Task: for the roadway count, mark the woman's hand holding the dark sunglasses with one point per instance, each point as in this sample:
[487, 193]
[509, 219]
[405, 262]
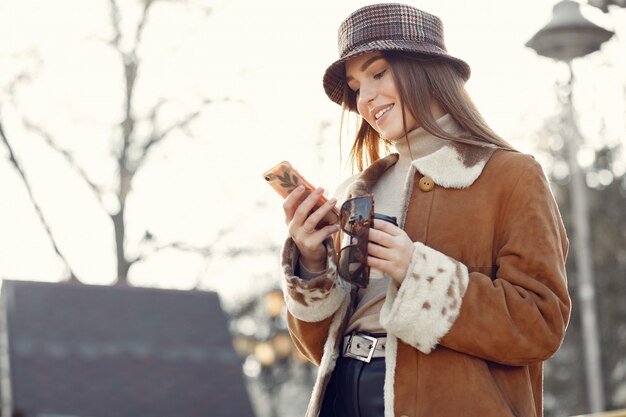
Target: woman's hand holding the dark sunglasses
[390, 250]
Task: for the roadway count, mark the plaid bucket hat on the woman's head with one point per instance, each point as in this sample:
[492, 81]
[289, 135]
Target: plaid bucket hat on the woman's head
[390, 27]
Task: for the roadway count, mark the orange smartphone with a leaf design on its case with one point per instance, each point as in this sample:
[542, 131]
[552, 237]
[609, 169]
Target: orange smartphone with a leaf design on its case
[284, 179]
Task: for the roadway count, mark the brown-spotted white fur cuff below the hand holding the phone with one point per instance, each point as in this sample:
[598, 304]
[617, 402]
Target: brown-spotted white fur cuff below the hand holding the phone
[314, 299]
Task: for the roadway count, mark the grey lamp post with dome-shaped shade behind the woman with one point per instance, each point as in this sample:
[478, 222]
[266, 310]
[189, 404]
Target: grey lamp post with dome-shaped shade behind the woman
[566, 37]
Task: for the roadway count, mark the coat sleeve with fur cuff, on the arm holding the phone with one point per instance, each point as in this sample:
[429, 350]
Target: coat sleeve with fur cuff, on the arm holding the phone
[311, 303]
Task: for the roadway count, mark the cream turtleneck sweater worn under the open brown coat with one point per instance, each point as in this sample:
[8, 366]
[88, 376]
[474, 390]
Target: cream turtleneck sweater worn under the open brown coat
[388, 199]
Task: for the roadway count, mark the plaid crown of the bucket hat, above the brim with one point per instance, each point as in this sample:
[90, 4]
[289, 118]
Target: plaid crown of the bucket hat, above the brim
[389, 22]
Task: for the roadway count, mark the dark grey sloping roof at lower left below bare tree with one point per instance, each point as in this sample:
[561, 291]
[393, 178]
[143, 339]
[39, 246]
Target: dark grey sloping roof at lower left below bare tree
[98, 351]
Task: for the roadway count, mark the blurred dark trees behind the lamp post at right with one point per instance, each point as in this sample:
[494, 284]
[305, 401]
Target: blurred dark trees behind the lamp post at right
[565, 392]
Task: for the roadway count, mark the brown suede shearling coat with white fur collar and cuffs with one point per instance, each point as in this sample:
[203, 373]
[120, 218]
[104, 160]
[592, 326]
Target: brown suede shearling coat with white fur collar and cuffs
[484, 301]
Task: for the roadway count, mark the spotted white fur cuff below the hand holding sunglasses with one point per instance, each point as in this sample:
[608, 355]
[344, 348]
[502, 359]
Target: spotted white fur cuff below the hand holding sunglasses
[428, 301]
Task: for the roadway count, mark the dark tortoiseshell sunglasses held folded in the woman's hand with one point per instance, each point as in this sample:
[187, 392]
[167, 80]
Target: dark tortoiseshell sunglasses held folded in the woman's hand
[355, 218]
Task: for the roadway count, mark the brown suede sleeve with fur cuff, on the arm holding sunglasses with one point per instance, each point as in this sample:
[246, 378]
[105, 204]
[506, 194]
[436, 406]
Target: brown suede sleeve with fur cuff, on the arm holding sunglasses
[515, 319]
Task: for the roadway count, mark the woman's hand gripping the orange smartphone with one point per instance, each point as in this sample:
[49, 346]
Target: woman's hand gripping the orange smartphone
[302, 223]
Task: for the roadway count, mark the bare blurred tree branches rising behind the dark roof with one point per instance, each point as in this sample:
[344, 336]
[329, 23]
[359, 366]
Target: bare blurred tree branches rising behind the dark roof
[137, 137]
